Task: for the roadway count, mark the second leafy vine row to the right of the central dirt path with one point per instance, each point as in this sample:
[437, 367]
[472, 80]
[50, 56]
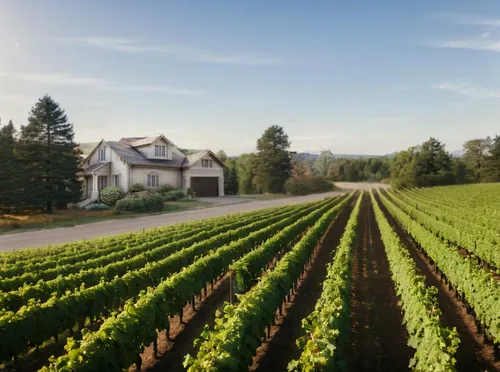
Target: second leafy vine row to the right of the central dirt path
[480, 290]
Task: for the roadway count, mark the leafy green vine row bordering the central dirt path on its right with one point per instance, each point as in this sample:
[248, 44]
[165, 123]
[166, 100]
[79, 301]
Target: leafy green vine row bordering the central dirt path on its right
[434, 344]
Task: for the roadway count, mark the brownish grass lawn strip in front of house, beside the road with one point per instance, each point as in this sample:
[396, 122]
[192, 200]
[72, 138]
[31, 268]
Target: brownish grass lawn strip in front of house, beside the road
[67, 218]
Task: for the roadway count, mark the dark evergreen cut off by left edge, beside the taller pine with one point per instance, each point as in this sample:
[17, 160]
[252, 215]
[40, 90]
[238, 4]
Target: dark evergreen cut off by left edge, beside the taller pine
[10, 183]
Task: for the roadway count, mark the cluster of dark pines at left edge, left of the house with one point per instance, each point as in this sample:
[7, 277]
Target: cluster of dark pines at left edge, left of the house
[40, 162]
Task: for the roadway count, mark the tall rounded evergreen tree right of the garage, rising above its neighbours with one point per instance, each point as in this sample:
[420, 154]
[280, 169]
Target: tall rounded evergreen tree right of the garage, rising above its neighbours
[273, 163]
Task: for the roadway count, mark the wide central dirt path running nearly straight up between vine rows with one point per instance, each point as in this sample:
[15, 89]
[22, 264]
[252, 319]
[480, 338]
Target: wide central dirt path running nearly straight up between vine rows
[378, 335]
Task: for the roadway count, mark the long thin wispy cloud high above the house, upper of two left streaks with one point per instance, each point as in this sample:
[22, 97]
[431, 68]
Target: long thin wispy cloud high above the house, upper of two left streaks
[137, 46]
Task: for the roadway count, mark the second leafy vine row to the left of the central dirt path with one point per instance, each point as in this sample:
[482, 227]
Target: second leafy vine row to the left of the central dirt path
[239, 330]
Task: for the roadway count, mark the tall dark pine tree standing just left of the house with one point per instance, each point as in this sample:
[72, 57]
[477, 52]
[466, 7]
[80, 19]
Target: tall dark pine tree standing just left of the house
[50, 157]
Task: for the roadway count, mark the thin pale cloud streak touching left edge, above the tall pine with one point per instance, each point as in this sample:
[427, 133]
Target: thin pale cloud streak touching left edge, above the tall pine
[67, 80]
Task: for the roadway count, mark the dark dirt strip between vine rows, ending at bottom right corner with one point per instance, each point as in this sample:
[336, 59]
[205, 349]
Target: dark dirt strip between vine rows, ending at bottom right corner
[473, 353]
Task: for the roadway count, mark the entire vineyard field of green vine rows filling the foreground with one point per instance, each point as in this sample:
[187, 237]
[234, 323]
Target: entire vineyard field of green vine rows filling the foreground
[307, 287]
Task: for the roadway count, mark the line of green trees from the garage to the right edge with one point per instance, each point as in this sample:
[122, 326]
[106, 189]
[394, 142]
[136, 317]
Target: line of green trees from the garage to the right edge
[428, 164]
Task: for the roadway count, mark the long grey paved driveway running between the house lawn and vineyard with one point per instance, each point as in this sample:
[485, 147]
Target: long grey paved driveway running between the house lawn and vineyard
[40, 238]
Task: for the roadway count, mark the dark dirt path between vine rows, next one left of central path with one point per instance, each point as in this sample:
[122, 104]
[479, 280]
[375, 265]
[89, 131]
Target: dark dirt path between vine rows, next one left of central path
[275, 353]
